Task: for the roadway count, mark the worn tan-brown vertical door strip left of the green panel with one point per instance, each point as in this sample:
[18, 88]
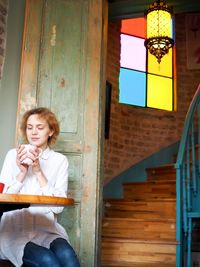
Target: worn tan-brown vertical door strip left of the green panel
[30, 58]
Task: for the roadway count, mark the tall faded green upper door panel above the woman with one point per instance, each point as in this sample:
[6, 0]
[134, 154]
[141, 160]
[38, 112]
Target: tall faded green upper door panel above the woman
[61, 61]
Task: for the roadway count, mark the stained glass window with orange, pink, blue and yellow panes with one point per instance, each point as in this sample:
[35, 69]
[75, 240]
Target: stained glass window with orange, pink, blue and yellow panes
[143, 81]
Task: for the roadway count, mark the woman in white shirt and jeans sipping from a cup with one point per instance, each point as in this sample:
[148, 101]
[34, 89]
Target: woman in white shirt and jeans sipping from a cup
[32, 236]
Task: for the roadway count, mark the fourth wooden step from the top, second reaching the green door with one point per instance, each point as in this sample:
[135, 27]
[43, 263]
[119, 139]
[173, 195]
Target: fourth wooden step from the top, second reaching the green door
[148, 228]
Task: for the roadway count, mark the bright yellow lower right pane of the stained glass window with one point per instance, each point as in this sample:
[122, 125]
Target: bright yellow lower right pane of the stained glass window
[159, 92]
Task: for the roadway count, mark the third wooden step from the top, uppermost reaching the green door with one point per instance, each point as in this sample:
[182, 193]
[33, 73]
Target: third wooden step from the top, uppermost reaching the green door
[140, 209]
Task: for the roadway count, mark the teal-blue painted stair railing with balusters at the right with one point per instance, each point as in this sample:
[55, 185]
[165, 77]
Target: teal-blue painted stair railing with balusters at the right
[188, 182]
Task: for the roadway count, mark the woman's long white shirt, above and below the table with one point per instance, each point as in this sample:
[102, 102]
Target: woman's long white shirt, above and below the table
[36, 223]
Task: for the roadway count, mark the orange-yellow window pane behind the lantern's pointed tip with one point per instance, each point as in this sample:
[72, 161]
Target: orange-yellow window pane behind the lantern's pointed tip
[165, 66]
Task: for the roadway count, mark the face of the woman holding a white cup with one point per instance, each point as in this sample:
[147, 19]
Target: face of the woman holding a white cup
[38, 131]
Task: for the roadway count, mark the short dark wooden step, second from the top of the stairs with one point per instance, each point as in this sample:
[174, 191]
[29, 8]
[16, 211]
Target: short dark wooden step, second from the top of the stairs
[146, 190]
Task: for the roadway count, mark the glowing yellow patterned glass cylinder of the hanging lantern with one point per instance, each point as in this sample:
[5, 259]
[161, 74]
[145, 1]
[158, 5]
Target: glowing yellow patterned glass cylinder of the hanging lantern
[159, 23]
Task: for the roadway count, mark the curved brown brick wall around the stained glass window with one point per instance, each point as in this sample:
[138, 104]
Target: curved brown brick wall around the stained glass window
[136, 133]
